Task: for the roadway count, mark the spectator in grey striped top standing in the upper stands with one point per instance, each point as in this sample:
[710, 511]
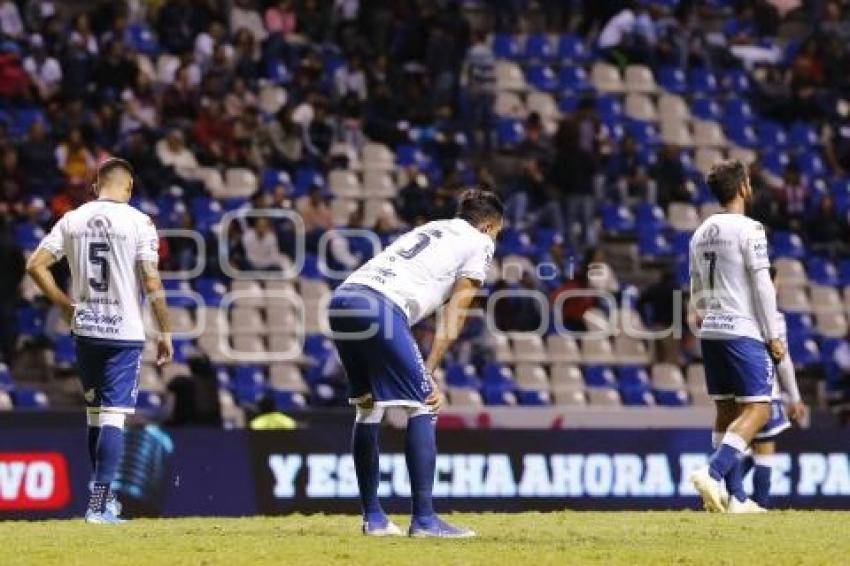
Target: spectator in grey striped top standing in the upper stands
[480, 77]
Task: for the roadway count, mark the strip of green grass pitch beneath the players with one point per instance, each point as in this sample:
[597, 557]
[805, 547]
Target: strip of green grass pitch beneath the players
[551, 538]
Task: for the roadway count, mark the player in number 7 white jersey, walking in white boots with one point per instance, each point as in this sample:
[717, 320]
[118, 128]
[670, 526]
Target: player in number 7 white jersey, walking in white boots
[735, 300]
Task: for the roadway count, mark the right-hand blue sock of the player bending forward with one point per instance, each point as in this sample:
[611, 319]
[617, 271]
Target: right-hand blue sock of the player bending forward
[421, 454]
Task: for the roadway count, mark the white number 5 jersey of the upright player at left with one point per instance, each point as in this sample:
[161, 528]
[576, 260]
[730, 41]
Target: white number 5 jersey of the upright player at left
[103, 241]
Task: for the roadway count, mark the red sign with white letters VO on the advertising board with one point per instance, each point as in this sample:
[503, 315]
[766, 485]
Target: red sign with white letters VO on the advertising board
[33, 481]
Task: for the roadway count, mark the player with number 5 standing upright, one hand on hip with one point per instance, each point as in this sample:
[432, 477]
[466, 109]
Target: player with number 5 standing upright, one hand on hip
[112, 252]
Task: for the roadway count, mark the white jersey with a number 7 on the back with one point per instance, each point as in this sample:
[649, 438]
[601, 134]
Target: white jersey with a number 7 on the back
[726, 250]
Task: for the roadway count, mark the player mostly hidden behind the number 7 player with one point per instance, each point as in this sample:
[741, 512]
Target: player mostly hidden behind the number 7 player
[764, 443]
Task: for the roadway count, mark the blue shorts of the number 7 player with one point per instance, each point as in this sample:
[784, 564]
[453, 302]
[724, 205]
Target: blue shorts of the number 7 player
[738, 368]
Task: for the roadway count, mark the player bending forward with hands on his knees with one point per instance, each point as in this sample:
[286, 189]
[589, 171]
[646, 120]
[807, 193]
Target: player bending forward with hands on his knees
[371, 314]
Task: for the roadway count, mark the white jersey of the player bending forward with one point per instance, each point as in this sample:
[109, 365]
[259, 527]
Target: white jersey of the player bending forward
[418, 271]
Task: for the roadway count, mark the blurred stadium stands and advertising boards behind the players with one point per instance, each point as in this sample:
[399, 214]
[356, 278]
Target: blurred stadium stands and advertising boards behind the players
[595, 121]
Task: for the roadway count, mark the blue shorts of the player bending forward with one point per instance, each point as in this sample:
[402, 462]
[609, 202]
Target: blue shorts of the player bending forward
[377, 349]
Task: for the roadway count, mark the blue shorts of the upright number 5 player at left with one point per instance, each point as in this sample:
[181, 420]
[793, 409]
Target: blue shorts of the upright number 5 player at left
[109, 371]
